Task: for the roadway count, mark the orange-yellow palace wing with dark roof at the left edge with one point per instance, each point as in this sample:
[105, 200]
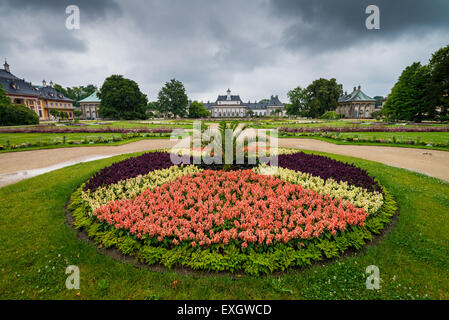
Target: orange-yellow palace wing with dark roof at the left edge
[40, 99]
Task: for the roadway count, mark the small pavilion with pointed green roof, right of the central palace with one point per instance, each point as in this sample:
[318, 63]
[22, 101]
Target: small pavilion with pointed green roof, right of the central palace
[356, 104]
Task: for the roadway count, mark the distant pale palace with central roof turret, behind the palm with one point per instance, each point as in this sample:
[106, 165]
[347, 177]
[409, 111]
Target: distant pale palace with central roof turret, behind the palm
[231, 106]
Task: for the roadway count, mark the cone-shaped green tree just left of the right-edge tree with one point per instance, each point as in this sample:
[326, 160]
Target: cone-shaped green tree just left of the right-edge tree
[409, 98]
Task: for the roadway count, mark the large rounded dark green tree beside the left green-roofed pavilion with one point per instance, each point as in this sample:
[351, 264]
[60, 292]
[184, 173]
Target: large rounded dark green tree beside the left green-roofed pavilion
[121, 98]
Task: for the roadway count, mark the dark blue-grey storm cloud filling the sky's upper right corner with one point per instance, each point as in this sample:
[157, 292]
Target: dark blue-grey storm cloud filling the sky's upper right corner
[330, 25]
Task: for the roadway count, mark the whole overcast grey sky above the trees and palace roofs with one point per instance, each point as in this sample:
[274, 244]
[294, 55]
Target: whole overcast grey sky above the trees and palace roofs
[257, 48]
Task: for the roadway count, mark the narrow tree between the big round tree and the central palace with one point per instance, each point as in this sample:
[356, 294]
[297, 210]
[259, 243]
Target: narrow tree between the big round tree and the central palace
[172, 98]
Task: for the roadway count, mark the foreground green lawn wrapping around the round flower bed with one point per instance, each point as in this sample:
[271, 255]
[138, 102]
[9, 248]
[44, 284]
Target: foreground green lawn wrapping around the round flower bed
[36, 245]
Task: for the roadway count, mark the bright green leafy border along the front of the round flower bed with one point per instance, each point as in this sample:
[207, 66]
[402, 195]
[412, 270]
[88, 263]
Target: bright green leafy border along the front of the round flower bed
[253, 260]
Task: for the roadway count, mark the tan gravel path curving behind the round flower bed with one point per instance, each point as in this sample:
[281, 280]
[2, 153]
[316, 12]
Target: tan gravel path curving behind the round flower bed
[16, 166]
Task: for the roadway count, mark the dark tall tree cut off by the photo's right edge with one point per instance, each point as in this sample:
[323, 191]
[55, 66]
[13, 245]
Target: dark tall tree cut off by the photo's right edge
[439, 68]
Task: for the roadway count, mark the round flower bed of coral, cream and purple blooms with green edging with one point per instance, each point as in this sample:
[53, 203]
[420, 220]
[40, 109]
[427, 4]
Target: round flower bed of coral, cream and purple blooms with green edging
[308, 209]
